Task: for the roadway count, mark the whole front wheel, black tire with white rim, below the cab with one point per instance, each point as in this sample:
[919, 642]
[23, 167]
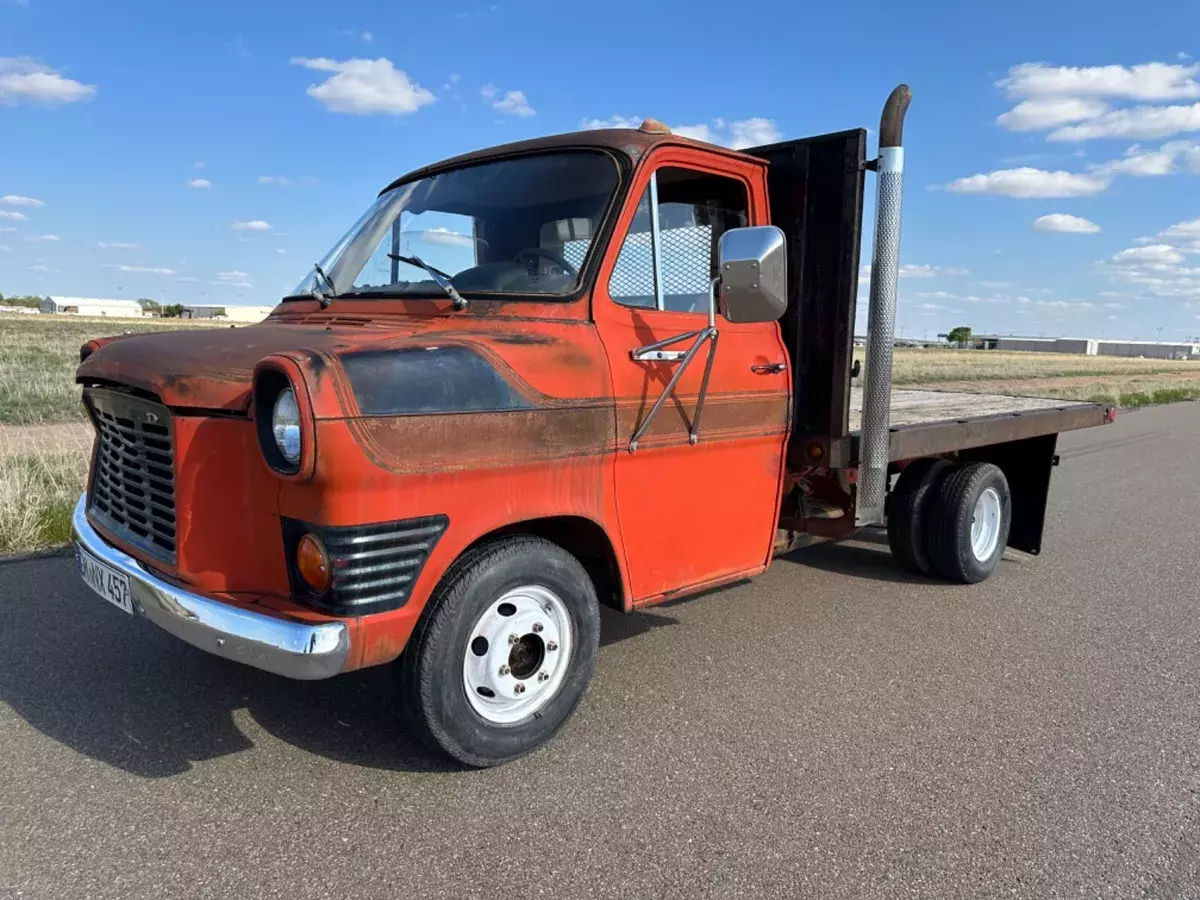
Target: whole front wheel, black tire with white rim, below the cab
[503, 653]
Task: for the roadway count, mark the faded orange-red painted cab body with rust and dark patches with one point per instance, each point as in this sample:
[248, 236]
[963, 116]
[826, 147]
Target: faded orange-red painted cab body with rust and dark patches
[680, 518]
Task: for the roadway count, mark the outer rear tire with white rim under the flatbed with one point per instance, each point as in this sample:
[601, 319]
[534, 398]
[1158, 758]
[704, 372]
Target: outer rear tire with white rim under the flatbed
[969, 523]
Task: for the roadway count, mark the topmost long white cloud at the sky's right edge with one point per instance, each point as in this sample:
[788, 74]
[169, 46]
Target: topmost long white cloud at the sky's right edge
[1149, 81]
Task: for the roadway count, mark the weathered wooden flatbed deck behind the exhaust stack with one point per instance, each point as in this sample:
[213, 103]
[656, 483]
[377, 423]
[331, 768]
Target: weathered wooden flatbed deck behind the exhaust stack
[927, 423]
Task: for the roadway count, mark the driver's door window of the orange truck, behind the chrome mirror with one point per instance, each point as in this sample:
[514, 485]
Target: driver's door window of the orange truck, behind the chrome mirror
[669, 257]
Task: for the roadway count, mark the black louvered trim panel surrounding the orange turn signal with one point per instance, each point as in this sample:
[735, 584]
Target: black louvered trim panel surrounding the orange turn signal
[375, 567]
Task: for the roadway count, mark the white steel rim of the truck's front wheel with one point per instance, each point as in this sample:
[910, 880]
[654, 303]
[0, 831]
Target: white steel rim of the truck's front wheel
[518, 655]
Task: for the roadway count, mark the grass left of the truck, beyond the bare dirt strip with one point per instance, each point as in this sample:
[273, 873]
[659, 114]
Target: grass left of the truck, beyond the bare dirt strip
[39, 356]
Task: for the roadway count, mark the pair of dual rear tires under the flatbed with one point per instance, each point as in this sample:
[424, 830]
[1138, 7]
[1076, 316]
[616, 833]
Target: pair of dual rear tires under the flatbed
[950, 521]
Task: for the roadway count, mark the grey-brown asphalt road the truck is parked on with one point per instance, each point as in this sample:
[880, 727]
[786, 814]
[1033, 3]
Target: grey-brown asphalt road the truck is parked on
[832, 730]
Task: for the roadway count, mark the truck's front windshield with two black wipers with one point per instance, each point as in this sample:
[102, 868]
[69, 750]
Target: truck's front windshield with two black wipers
[519, 226]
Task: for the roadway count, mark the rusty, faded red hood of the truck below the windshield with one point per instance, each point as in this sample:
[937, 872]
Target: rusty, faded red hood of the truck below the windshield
[213, 368]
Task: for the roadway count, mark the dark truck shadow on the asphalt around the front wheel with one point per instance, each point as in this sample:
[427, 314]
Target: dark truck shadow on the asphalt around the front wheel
[118, 691]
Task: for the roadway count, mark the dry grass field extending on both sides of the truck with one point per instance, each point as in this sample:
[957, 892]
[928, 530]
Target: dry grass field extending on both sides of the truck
[45, 442]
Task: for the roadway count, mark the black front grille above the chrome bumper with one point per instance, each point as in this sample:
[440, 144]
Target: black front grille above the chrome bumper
[134, 476]
